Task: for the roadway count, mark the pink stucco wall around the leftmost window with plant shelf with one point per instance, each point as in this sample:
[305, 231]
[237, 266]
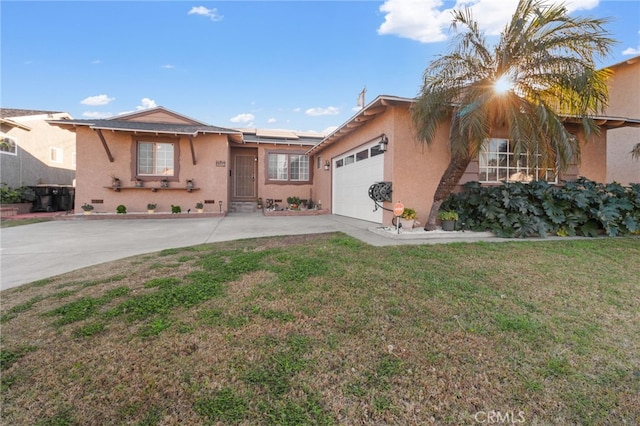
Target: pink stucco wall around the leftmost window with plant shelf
[95, 170]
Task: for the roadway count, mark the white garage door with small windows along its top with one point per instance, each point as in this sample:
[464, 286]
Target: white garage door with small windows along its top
[353, 173]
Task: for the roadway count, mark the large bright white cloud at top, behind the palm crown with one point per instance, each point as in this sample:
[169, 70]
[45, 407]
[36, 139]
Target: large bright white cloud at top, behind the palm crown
[427, 21]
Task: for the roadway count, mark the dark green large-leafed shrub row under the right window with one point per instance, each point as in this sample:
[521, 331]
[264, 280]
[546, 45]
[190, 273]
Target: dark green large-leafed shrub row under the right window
[517, 209]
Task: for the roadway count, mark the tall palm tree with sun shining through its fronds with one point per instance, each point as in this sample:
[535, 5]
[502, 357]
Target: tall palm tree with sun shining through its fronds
[544, 59]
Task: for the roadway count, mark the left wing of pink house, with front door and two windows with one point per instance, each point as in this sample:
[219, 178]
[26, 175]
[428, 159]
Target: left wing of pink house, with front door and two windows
[165, 158]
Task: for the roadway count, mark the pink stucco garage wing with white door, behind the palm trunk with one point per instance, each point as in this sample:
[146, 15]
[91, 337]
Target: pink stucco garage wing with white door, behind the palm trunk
[379, 144]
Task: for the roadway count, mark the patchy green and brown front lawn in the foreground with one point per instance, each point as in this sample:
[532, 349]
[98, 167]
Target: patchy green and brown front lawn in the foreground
[327, 330]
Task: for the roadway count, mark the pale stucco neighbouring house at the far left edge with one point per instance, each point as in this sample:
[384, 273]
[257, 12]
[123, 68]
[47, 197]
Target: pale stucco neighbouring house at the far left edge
[34, 152]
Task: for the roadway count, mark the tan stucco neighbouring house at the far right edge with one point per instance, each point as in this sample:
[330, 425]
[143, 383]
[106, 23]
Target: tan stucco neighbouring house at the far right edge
[624, 101]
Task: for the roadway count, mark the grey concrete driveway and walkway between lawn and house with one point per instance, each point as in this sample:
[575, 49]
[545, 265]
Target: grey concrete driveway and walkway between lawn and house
[41, 250]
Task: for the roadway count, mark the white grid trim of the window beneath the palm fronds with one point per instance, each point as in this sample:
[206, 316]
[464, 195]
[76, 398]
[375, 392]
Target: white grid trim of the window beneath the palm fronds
[511, 169]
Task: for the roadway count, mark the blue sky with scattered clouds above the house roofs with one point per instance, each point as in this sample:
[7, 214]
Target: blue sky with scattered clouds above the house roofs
[296, 65]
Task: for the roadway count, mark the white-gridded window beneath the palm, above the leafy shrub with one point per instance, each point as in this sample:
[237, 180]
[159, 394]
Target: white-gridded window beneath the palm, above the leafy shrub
[498, 163]
